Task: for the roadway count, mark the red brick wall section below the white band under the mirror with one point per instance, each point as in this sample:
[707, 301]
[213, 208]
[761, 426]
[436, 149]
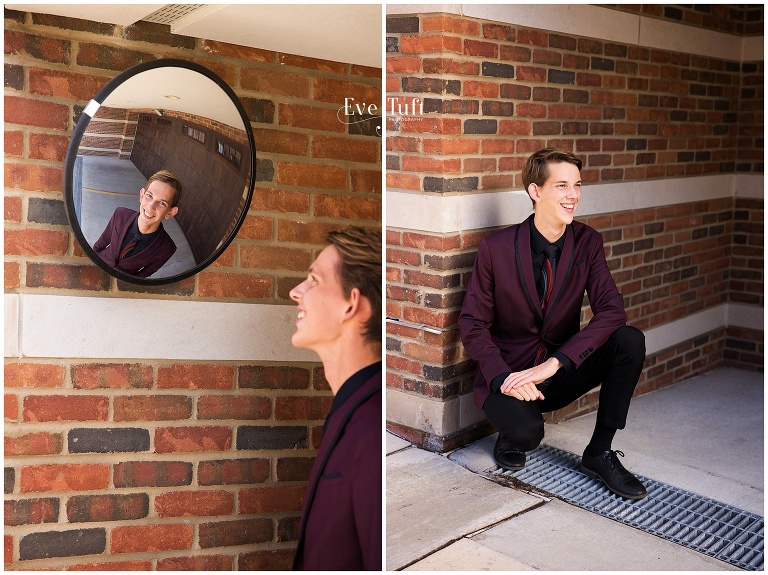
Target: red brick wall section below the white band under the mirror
[151, 457]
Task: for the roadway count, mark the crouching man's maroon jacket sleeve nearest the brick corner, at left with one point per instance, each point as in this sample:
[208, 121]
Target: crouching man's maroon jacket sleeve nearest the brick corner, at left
[477, 316]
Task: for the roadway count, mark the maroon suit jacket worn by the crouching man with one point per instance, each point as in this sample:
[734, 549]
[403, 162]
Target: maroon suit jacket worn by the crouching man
[501, 322]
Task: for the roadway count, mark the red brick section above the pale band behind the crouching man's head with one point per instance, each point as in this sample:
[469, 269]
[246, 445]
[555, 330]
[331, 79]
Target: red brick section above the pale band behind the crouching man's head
[492, 94]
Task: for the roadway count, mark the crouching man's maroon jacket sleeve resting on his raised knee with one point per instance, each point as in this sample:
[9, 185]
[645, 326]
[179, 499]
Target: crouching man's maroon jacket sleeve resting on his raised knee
[607, 306]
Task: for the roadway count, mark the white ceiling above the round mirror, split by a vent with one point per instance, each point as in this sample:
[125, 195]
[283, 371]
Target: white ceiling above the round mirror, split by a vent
[348, 33]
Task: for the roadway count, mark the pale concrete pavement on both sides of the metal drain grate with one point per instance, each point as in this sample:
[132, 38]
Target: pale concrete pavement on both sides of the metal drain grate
[703, 435]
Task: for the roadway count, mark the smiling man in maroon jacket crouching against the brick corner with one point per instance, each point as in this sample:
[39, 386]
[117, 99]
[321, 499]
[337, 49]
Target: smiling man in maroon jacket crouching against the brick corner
[520, 323]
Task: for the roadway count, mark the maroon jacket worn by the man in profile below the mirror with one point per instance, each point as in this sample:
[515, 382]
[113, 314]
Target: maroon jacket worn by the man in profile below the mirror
[341, 519]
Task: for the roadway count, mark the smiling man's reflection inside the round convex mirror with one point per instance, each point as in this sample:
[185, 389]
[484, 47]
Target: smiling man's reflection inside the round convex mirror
[136, 242]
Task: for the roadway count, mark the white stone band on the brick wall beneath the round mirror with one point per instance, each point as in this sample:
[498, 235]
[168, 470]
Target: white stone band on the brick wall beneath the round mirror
[68, 327]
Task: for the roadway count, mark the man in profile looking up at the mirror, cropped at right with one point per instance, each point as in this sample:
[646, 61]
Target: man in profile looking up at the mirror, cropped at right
[339, 317]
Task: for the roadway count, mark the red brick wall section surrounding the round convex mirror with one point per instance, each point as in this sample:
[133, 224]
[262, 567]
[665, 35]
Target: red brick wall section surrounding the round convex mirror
[312, 174]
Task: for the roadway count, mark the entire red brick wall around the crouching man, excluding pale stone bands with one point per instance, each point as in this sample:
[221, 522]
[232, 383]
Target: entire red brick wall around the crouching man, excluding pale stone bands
[494, 93]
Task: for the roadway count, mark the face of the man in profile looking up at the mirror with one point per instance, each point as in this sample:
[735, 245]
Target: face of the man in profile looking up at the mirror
[322, 304]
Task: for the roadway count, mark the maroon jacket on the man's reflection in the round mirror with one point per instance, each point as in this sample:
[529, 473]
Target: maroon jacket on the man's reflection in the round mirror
[142, 264]
